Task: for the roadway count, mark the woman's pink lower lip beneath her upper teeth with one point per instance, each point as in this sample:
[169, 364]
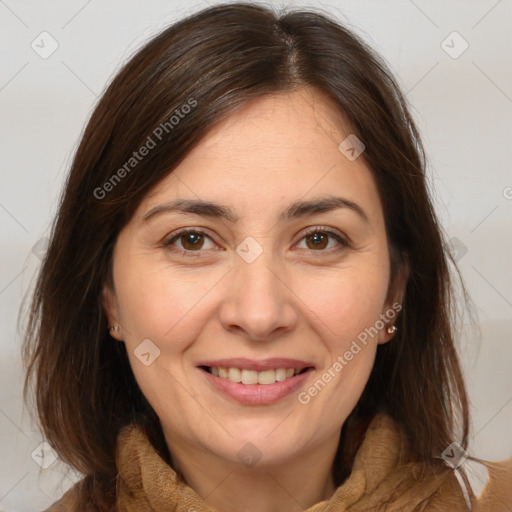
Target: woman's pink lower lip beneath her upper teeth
[257, 394]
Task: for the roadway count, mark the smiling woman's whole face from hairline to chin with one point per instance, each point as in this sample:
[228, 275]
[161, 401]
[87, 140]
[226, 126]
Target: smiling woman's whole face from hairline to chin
[269, 282]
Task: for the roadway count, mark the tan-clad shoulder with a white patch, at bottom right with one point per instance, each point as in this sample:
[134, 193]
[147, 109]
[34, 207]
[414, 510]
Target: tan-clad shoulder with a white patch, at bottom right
[479, 486]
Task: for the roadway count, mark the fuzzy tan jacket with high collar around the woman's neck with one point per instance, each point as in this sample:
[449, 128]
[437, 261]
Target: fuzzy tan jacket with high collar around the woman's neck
[379, 481]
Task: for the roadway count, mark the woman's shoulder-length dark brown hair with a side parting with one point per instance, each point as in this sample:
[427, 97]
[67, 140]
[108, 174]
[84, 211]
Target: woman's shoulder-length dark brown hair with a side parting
[216, 61]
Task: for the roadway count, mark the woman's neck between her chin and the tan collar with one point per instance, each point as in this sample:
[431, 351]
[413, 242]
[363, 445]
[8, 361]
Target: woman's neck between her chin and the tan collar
[228, 486]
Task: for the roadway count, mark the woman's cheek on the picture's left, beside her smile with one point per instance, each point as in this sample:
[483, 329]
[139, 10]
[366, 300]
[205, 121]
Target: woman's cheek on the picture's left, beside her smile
[168, 308]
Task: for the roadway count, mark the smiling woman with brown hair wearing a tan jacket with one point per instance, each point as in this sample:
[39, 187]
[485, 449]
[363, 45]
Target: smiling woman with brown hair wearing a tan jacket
[245, 304]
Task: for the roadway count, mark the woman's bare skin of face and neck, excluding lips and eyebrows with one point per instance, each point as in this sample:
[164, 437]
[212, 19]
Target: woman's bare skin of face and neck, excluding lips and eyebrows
[295, 300]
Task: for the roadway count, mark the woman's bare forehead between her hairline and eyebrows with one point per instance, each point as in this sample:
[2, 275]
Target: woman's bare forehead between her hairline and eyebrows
[275, 150]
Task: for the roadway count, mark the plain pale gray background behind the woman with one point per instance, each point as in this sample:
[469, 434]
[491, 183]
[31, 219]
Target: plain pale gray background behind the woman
[463, 107]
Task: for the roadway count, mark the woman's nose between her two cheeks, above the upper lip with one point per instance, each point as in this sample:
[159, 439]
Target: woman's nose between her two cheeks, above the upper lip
[259, 304]
